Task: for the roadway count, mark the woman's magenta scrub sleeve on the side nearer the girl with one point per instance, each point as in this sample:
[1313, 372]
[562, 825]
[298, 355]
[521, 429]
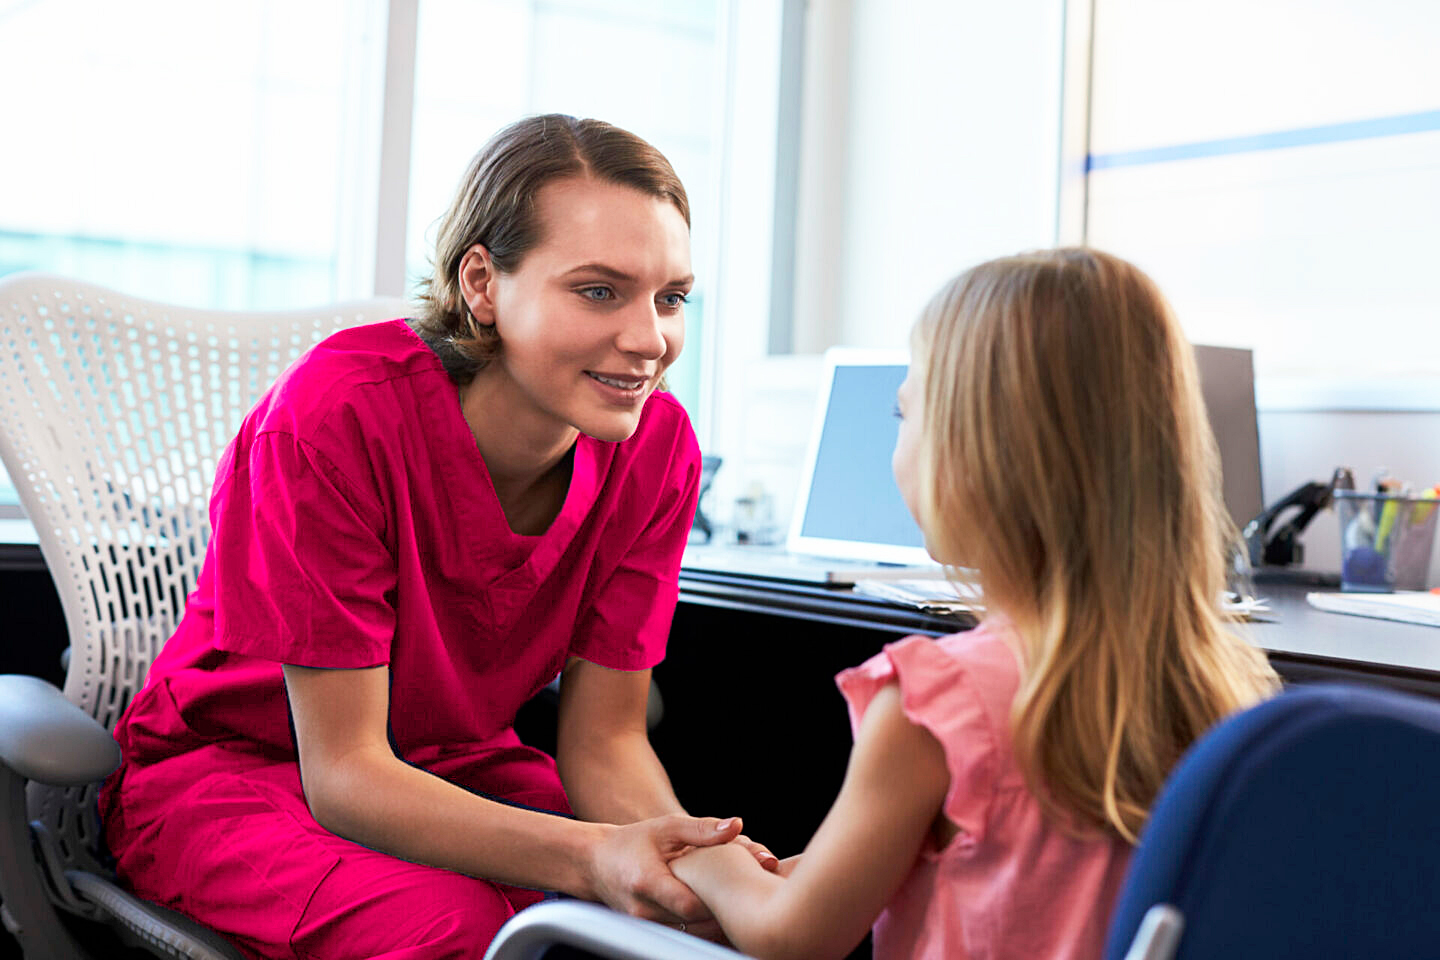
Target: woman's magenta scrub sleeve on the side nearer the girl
[629, 624]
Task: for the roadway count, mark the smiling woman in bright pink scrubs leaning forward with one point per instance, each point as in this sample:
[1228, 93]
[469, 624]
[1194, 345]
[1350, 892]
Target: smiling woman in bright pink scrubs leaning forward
[418, 527]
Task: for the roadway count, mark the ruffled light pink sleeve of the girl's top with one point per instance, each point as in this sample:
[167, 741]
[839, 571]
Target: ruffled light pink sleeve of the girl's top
[938, 694]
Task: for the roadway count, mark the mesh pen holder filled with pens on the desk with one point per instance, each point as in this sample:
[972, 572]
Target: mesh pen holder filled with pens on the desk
[1386, 540]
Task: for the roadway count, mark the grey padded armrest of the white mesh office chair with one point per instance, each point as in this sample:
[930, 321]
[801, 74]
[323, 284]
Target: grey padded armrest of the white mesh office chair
[48, 739]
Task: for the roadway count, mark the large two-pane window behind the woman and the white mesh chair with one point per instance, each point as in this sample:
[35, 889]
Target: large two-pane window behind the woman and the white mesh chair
[231, 156]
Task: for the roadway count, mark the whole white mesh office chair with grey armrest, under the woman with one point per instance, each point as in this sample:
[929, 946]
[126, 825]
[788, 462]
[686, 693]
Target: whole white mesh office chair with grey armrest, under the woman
[113, 414]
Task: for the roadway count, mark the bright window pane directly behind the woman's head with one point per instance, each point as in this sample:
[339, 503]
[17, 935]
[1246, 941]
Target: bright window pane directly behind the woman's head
[650, 67]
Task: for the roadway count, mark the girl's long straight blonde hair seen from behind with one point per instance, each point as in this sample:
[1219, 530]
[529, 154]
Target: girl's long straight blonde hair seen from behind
[1068, 458]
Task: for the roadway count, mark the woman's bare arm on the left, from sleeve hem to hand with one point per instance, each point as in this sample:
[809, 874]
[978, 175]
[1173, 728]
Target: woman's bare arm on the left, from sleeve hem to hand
[359, 789]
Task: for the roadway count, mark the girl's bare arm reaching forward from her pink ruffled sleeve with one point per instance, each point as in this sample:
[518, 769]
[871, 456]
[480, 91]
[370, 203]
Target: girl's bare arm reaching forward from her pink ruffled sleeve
[892, 795]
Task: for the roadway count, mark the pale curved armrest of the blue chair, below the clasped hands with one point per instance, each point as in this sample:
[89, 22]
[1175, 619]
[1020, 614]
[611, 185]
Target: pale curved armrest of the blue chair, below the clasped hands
[597, 930]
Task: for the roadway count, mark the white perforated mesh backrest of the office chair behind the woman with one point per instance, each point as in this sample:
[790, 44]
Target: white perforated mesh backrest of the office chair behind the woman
[113, 415]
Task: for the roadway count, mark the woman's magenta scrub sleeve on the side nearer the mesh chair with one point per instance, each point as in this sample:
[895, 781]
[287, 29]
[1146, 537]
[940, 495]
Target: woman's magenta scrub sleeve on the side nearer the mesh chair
[302, 574]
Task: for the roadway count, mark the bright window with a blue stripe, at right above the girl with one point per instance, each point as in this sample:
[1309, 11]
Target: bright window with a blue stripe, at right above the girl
[1277, 168]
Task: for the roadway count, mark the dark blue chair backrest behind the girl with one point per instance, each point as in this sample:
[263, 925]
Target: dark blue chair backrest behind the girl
[1301, 828]
